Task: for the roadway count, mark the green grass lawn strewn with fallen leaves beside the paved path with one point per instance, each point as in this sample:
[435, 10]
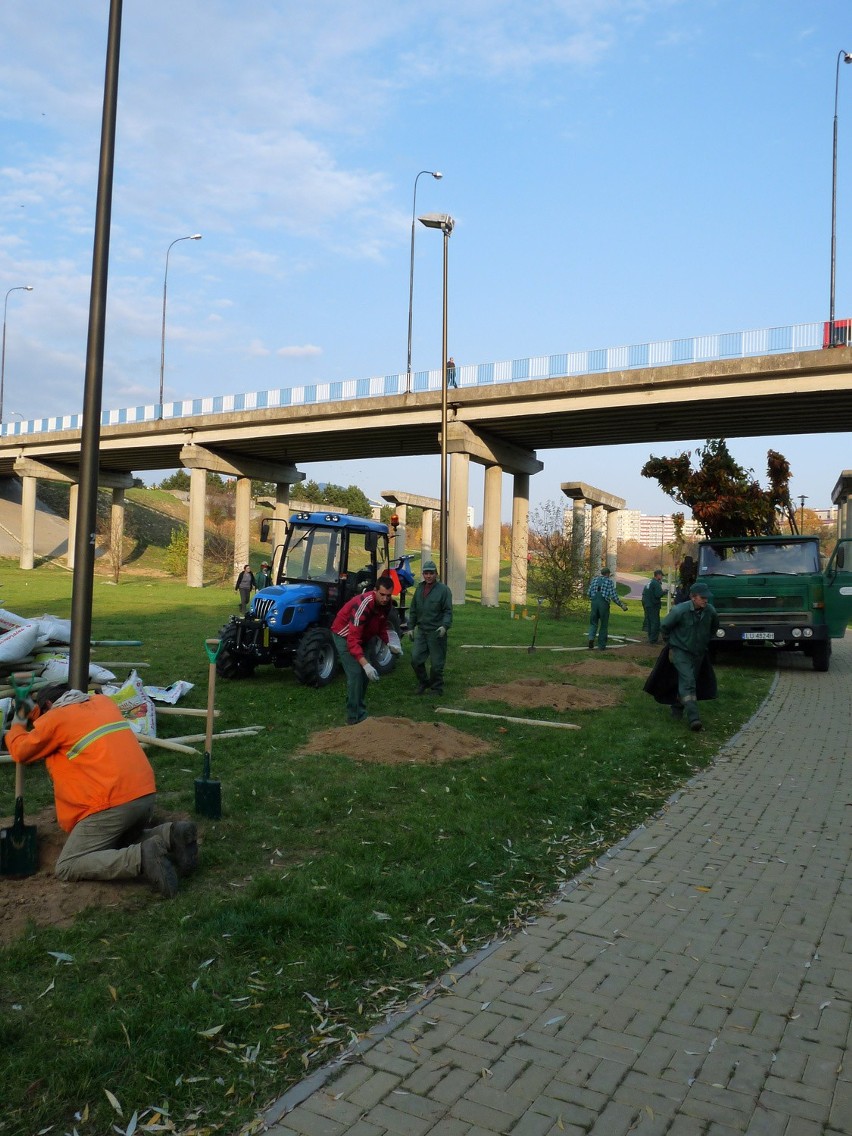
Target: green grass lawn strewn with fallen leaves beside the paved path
[331, 891]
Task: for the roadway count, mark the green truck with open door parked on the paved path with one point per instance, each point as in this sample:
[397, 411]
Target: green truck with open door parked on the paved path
[773, 591]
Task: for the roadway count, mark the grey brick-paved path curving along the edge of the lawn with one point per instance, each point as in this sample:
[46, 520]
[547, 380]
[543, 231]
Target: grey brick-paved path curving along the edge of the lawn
[697, 982]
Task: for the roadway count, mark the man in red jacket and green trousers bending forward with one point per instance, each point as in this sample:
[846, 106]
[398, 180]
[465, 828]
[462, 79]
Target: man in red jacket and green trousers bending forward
[361, 620]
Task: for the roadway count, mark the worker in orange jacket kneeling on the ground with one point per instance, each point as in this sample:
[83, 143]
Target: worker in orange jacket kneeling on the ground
[104, 789]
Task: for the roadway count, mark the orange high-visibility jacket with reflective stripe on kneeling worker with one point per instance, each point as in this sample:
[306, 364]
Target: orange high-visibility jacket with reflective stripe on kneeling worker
[93, 757]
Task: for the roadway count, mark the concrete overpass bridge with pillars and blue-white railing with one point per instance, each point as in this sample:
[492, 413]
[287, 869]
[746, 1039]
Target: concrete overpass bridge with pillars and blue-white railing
[500, 416]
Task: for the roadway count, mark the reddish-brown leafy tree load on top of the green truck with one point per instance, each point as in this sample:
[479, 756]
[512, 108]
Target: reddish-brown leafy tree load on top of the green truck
[726, 499]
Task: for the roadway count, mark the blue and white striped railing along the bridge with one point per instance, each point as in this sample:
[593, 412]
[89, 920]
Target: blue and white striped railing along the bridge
[661, 354]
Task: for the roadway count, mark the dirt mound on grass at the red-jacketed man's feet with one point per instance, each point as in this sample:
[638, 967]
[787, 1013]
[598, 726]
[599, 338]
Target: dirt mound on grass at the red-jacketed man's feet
[398, 742]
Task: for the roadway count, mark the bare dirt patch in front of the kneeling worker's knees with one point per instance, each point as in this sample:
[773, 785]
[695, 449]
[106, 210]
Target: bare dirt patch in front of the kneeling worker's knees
[49, 903]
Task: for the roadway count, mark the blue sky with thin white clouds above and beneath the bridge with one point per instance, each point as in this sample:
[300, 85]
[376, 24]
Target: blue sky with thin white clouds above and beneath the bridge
[620, 172]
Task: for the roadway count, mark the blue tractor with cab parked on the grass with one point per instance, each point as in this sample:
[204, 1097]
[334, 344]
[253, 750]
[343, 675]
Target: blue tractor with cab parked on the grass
[327, 559]
